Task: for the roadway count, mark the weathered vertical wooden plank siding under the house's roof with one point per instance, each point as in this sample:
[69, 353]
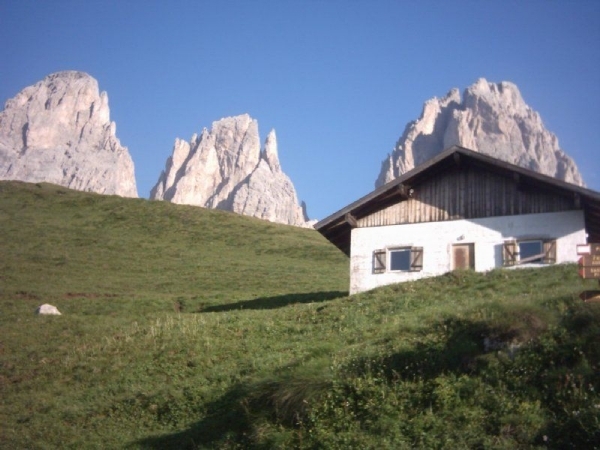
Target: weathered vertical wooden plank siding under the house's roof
[468, 193]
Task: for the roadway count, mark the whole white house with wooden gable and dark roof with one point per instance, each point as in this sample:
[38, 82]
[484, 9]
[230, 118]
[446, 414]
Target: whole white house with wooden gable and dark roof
[462, 210]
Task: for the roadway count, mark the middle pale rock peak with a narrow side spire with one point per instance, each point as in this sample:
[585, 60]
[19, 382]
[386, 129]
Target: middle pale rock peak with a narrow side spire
[225, 168]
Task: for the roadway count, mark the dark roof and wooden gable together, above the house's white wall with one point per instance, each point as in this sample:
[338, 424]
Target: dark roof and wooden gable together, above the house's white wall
[461, 184]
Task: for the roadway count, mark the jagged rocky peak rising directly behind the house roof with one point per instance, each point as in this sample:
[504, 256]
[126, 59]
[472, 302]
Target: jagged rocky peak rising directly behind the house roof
[491, 118]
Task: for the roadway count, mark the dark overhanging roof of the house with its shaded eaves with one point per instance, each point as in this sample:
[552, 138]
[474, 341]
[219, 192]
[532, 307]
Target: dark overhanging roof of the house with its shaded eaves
[337, 227]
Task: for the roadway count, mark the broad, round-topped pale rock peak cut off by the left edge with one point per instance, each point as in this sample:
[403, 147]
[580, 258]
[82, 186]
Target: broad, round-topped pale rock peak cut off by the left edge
[59, 131]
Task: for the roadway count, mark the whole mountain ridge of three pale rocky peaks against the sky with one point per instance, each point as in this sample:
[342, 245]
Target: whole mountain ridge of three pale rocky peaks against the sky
[59, 131]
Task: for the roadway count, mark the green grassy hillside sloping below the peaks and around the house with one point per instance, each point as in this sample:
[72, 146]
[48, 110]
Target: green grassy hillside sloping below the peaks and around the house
[191, 328]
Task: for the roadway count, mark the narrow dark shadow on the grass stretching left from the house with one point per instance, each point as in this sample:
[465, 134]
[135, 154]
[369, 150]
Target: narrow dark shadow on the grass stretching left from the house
[278, 301]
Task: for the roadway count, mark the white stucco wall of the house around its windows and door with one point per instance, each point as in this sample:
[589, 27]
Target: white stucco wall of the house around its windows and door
[437, 238]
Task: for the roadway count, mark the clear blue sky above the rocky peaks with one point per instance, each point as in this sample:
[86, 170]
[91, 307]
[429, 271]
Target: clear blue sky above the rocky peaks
[337, 80]
